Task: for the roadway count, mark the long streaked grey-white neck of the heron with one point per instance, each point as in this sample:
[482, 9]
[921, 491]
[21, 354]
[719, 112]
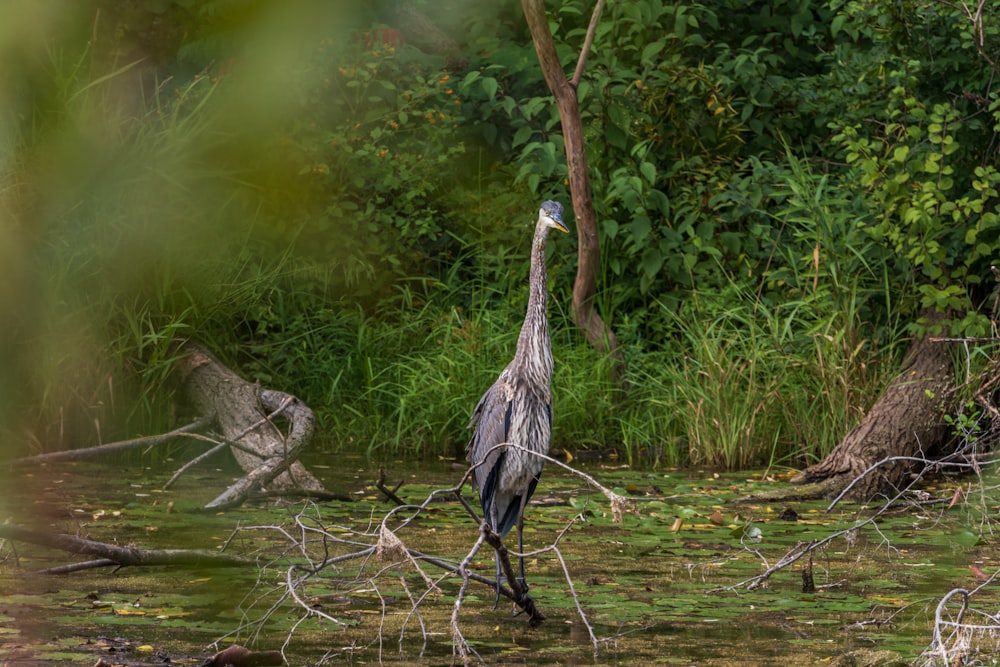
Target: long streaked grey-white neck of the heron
[534, 351]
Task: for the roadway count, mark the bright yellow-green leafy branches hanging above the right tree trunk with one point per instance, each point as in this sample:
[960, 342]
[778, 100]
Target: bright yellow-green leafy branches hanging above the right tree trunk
[929, 177]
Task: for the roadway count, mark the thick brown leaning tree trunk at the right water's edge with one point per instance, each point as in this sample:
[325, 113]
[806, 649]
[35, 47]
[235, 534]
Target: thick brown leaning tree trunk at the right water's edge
[906, 421]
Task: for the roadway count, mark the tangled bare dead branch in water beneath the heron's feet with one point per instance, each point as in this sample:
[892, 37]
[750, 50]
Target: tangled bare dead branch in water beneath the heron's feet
[354, 562]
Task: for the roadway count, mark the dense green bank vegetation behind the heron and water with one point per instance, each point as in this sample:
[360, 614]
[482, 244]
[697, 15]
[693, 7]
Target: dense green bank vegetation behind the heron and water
[344, 214]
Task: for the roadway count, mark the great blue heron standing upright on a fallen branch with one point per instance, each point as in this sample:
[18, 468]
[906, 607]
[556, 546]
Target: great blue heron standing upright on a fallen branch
[517, 409]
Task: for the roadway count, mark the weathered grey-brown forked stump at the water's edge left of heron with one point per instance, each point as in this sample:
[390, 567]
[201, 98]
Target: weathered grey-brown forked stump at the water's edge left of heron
[246, 413]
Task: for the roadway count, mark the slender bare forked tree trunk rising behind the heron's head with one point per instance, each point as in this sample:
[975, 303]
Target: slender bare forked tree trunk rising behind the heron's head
[601, 336]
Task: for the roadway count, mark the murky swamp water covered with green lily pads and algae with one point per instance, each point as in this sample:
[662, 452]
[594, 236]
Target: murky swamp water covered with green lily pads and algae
[661, 587]
